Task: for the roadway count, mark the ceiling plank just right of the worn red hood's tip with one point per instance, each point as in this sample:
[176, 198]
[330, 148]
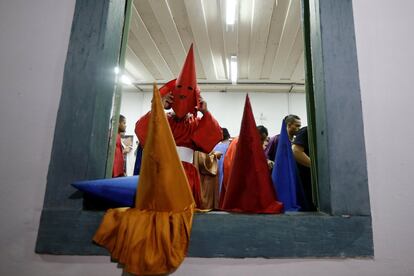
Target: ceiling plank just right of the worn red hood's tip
[197, 21]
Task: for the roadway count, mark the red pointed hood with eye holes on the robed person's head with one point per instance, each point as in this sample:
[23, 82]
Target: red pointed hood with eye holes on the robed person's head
[184, 89]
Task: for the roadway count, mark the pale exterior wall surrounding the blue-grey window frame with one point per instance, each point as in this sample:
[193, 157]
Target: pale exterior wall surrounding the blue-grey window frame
[33, 45]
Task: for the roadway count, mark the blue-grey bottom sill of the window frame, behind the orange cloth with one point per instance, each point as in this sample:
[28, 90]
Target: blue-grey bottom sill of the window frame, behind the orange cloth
[227, 235]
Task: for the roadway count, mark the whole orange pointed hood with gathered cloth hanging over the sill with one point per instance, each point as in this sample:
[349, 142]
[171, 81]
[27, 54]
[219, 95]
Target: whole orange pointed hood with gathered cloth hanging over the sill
[153, 237]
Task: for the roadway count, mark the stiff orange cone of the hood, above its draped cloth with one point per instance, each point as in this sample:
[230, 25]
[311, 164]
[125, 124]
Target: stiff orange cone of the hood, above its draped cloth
[163, 185]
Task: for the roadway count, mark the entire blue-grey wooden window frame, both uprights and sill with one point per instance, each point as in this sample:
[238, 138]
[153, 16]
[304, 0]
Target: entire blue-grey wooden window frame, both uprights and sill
[342, 228]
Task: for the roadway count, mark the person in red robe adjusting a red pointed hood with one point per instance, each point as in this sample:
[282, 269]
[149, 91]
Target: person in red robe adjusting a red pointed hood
[190, 132]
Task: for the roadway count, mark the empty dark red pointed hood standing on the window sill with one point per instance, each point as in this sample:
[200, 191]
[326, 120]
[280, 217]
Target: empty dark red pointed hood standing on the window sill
[249, 188]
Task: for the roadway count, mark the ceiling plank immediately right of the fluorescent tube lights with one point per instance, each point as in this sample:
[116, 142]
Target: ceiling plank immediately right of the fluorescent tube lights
[244, 30]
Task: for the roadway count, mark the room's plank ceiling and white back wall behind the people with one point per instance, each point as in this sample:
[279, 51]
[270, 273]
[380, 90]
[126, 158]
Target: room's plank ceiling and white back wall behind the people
[241, 47]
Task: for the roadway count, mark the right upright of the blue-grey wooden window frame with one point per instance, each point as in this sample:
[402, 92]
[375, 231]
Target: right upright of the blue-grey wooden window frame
[338, 129]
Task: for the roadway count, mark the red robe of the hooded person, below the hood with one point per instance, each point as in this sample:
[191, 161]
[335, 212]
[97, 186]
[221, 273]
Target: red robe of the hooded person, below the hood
[200, 134]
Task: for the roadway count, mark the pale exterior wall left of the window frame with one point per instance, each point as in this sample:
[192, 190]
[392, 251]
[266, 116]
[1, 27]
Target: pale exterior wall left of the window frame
[34, 39]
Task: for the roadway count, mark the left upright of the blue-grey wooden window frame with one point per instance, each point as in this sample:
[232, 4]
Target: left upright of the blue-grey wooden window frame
[80, 141]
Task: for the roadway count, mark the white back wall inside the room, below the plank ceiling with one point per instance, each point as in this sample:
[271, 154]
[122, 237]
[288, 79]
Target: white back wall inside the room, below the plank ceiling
[268, 108]
